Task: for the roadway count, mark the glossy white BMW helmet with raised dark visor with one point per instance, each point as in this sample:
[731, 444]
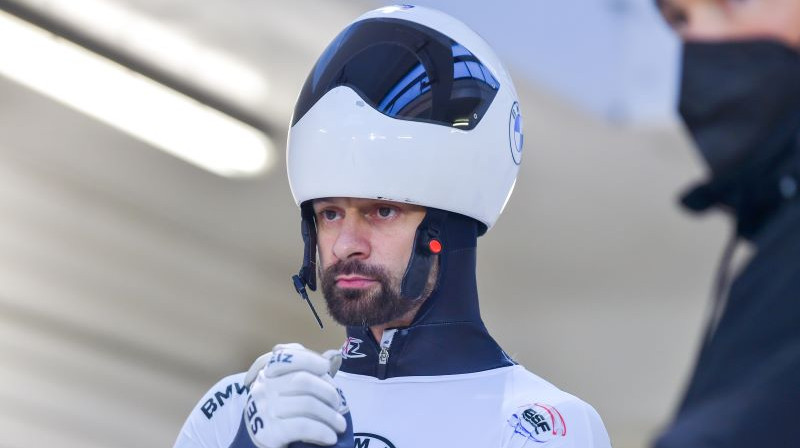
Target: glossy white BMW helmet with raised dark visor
[408, 104]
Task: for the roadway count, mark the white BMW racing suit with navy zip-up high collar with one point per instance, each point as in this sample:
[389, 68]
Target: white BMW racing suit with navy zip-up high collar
[442, 381]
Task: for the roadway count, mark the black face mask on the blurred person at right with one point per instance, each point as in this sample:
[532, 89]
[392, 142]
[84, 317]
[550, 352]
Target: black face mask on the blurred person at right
[734, 96]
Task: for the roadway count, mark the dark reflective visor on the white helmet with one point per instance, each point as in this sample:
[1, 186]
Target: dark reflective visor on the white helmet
[403, 70]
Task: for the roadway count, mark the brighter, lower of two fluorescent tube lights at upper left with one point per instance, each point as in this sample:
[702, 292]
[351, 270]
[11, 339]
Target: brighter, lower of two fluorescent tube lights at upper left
[130, 102]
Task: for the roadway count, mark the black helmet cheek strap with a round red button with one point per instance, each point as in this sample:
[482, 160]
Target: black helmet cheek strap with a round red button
[427, 244]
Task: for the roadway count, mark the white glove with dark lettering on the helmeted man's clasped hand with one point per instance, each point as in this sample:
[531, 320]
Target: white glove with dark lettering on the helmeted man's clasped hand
[293, 398]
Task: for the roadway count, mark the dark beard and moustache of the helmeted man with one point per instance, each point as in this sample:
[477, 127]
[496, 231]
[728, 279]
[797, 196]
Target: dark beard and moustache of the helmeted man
[375, 305]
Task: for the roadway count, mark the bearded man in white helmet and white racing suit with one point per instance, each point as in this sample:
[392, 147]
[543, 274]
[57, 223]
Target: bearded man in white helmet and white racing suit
[404, 148]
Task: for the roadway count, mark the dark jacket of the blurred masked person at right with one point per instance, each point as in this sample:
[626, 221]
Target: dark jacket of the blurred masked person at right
[745, 389]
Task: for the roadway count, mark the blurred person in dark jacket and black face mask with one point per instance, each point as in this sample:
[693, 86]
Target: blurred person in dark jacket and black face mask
[740, 100]
